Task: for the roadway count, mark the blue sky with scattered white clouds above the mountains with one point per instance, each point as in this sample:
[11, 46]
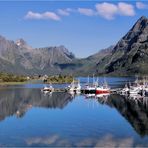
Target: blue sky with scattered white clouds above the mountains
[84, 27]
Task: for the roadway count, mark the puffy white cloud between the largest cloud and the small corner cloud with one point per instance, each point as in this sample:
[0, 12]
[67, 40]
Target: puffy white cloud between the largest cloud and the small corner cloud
[126, 9]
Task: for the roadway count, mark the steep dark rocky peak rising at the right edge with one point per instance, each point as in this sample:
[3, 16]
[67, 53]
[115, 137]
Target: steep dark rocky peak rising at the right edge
[130, 54]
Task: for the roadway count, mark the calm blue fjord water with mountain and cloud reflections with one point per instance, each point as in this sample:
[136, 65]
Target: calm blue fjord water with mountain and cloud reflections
[29, 117]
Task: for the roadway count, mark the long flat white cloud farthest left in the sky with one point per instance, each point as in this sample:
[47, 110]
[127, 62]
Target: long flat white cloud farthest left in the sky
[45, 15]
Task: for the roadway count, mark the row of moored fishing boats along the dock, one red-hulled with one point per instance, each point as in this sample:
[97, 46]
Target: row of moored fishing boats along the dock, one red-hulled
[137, 87]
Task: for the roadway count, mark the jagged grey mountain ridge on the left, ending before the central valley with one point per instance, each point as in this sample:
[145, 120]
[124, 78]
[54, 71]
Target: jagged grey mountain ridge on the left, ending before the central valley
[19, 57]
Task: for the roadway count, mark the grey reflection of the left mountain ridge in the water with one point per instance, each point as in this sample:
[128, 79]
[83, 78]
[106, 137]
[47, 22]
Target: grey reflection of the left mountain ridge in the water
[18, 101]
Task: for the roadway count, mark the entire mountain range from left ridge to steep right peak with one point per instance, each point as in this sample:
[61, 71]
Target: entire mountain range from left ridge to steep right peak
[128, 57]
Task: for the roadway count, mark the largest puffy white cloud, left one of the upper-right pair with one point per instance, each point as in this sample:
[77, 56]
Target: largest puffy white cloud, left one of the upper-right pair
[107, 10]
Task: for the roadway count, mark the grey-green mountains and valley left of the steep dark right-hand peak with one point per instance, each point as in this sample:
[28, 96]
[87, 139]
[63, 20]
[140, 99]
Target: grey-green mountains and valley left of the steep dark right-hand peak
[20, 58]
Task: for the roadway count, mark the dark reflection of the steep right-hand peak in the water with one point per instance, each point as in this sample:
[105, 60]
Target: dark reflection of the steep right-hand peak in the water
[134, 109]
